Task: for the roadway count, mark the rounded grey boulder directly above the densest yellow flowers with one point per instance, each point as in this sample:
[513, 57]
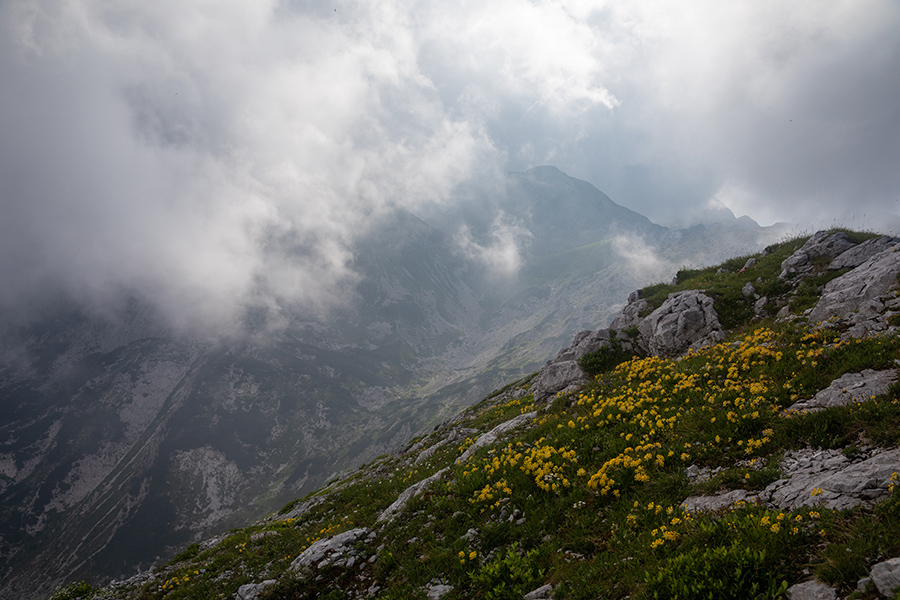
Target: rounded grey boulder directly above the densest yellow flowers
[685, 320]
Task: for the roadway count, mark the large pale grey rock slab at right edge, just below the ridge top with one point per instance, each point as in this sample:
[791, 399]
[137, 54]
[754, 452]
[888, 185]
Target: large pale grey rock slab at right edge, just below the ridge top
[863, 292]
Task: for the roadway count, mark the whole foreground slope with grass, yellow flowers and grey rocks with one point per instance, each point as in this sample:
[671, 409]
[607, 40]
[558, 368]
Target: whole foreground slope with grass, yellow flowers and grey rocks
[733, 434]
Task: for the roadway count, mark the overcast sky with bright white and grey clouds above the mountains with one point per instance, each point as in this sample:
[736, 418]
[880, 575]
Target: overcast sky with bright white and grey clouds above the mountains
[211, 153]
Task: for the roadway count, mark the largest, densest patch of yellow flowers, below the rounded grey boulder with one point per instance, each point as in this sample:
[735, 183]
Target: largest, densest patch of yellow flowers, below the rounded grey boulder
[658, 394]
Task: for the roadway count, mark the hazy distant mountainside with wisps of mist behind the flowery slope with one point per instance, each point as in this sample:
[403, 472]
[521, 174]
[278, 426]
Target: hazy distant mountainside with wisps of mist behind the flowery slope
[125, 435]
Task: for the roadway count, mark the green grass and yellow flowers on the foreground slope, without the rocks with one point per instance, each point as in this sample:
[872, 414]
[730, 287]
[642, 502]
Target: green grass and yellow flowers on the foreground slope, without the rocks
[587, 495]
